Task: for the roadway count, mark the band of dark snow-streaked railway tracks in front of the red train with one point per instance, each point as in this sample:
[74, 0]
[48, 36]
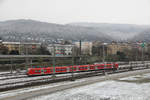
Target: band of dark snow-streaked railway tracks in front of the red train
[24, 81]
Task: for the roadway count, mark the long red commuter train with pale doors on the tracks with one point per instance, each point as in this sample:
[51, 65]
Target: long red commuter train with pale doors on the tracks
[67, 69]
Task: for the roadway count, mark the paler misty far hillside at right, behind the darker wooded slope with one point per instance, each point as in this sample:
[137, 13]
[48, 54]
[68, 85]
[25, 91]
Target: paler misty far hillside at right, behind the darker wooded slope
[117, 31]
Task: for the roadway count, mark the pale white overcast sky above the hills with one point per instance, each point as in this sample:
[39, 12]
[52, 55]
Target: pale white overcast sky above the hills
[67, 11]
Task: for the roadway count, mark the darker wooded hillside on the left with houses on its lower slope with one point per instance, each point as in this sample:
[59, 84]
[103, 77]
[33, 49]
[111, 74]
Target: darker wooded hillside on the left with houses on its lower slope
[30, 30]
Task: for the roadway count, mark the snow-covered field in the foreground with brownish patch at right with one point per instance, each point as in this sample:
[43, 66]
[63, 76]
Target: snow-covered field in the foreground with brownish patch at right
[130, 88]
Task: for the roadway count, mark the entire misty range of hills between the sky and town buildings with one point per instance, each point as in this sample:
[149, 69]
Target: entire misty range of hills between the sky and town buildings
[36, 31]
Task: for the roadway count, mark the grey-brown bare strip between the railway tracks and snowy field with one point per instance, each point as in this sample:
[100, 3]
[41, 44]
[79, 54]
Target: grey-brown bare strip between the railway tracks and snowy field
[83, 82]
